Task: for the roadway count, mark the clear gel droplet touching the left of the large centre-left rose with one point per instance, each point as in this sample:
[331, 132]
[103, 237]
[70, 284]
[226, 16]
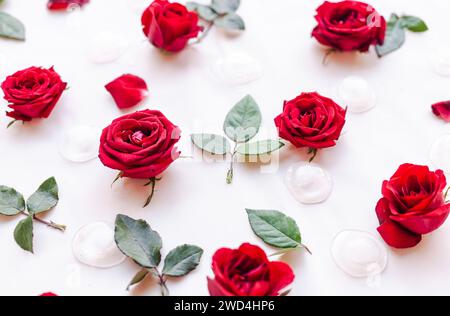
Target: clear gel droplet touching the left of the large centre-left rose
[80, 143]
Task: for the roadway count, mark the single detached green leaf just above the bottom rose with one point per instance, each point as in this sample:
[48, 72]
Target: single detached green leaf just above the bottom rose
[275, 228]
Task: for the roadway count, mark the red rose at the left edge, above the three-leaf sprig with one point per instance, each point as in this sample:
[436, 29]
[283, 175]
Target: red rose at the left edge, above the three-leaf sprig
[33, 93]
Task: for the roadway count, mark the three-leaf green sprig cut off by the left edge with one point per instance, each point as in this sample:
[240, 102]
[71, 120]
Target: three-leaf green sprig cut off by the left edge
[12, 203]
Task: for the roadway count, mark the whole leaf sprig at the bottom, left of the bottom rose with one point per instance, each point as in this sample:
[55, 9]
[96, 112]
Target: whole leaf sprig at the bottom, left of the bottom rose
[137, 240]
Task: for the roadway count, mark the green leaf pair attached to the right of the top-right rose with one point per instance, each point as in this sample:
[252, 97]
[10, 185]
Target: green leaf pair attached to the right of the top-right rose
[396, 35]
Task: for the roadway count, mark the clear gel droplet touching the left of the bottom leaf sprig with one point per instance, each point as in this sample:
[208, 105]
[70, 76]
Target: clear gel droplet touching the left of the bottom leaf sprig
[94, 246]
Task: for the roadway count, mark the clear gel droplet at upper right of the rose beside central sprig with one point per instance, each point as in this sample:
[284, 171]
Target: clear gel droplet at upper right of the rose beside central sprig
[356, 94]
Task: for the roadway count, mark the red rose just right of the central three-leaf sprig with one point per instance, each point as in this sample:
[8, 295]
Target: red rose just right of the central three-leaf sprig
[311, 120]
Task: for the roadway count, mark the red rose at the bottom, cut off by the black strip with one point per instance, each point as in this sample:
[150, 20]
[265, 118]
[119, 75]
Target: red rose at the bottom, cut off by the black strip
[247, 272]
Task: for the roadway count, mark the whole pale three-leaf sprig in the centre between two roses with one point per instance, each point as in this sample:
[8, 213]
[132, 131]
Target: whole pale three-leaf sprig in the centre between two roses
[241, 125]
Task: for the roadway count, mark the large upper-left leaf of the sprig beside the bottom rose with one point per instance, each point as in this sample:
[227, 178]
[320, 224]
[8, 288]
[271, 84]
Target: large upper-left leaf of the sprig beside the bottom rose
[138, 241]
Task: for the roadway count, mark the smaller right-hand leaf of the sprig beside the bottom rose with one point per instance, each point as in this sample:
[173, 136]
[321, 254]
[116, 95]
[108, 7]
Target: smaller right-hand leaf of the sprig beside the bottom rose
[182, 260]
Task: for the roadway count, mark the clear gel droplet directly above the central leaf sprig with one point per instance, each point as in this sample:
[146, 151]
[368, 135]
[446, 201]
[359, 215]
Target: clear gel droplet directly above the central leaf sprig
[236, 69]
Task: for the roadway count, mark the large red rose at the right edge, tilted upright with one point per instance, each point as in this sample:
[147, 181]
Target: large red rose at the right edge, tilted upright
[413, 205]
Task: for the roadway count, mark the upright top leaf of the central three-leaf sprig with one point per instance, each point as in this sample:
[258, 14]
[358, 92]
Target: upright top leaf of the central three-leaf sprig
[243, 121]
